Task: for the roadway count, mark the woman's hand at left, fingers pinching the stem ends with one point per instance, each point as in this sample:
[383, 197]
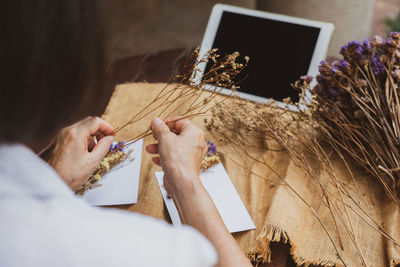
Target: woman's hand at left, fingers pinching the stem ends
[76, 155]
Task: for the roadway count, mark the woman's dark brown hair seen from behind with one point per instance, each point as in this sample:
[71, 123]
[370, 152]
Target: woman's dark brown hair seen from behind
[52, 64]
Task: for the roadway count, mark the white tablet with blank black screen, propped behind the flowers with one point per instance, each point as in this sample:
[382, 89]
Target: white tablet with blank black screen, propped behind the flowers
[281, 49]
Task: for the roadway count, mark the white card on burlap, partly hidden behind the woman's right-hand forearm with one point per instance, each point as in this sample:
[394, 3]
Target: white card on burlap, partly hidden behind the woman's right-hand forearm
[229, 205]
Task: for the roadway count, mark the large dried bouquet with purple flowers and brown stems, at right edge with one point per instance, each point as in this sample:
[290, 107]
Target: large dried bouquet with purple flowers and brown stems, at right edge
[357, 104]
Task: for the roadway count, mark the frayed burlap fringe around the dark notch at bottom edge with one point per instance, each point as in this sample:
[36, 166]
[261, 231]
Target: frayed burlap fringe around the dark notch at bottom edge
[271, 233]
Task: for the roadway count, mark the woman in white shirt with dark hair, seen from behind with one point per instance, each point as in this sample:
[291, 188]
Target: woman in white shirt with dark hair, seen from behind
[52, 61]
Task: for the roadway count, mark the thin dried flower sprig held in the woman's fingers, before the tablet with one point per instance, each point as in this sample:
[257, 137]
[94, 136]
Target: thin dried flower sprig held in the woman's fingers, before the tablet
[185, 93]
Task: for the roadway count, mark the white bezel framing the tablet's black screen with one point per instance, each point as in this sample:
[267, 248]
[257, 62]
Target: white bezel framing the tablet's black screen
[319, 54]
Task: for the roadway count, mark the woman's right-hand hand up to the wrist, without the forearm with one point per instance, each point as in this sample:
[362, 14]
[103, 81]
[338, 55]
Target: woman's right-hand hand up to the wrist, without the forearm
[181, 148]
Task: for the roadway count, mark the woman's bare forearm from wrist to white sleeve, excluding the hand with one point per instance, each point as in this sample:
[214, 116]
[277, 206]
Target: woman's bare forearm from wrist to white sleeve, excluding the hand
[198, 210]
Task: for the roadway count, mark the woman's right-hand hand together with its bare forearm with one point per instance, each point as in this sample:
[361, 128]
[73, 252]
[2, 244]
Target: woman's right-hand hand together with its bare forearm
[181, 146]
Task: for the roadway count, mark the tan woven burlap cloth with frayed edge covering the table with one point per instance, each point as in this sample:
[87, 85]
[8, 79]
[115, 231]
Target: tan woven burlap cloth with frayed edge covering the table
[296, 212]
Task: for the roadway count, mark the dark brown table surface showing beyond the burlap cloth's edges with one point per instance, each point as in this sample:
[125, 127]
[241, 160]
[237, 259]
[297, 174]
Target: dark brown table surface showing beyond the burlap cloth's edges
[163, 67]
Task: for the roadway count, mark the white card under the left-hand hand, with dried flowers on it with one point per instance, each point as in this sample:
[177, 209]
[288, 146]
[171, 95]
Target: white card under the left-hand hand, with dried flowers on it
[121, 184]
